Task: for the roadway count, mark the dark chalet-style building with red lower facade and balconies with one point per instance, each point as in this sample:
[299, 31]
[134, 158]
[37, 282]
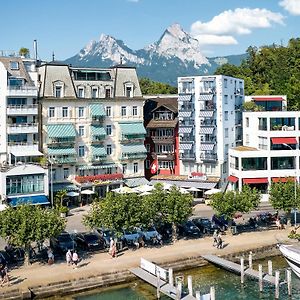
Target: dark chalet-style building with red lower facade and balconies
[161, 122]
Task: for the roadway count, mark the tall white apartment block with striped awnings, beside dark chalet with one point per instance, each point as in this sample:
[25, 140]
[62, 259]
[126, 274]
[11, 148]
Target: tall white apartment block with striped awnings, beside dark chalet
[209, 123]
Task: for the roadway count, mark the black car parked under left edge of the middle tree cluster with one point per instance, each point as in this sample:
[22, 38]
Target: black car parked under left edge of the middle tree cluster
[90, 241]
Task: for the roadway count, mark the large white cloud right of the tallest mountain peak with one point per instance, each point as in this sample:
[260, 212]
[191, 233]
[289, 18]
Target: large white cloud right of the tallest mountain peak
[239, 21]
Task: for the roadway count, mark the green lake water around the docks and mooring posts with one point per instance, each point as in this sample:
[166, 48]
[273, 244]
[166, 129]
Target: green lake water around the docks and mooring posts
[227, 286]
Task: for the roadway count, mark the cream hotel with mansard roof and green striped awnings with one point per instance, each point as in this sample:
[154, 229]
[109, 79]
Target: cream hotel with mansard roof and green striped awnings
[93, 131]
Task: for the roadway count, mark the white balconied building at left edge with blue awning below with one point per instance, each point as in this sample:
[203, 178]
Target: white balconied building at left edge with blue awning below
[22, 178]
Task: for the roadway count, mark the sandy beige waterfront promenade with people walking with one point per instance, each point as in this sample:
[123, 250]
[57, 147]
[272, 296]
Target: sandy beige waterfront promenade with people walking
[41, 274]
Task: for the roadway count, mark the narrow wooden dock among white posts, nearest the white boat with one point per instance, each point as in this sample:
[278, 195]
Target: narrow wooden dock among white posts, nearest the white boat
[236, 268]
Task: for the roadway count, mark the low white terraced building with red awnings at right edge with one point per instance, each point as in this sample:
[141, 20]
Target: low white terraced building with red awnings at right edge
[271, 147]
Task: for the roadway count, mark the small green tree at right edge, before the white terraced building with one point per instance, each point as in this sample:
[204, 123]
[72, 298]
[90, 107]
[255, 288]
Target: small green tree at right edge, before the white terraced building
[282, 195]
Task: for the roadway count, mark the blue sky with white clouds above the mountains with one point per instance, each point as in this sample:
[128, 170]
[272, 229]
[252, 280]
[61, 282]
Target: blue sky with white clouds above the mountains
[223, 27]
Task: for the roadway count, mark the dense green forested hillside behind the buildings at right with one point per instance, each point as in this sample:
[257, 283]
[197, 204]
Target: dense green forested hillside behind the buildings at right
[270, 70]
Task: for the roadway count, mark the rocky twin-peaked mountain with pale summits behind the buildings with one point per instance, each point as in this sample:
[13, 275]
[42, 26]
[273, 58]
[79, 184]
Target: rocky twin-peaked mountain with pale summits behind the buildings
[175, 54]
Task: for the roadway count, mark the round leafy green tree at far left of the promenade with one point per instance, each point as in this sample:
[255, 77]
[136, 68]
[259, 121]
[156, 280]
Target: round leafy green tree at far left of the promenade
[25, 224]
